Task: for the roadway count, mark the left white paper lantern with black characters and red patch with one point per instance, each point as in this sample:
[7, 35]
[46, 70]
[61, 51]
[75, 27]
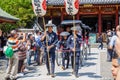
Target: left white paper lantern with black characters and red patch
[39, 7]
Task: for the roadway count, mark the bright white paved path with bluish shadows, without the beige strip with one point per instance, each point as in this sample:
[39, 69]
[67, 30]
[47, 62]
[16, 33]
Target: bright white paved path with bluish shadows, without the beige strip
[90, 71]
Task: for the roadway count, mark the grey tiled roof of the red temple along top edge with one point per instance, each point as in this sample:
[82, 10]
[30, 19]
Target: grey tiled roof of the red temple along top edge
[61, 2]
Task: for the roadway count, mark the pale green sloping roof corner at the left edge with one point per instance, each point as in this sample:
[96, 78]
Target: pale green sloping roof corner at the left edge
[6, 17]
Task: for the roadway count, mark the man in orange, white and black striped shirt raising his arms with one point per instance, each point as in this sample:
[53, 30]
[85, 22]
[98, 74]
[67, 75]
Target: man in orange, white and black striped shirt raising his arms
[13, 61]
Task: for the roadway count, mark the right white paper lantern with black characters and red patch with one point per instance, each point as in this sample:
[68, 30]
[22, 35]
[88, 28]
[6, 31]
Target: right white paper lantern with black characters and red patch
[71, 6]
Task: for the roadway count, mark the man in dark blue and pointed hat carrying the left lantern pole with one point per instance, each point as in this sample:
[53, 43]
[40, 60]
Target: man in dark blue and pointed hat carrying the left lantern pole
[50, 39]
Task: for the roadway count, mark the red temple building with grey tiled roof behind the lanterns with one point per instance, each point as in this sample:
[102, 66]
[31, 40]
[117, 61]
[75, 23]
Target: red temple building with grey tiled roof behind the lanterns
[100, 15]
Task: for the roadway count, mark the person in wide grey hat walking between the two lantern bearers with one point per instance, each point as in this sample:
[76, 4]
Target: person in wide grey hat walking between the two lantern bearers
[64, 48]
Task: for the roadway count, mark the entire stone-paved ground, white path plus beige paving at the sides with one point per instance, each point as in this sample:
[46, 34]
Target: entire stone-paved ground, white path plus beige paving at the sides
[95, 68]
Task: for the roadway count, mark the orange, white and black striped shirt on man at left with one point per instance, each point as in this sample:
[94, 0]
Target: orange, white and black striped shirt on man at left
[13, 43]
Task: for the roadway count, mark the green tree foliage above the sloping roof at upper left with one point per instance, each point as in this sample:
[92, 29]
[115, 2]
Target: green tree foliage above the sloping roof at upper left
[21, 9]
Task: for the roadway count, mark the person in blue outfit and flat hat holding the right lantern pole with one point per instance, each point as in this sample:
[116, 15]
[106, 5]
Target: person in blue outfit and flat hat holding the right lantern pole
[78, 40]
